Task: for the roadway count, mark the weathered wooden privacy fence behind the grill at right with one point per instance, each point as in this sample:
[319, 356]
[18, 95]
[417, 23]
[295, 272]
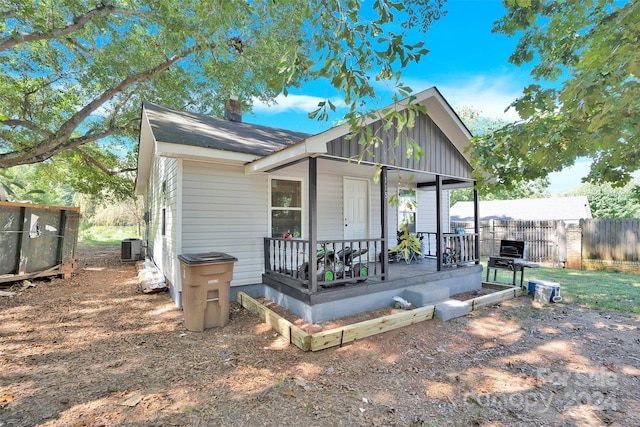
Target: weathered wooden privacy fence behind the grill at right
[608, 244]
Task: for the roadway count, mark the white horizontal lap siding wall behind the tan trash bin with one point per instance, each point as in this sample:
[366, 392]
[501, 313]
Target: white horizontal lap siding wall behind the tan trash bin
[224, 210]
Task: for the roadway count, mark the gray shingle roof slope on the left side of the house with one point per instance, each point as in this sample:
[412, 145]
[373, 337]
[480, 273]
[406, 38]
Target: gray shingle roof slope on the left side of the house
[180, 127]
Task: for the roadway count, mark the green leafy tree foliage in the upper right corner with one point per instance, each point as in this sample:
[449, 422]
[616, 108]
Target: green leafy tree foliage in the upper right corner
[590, 48]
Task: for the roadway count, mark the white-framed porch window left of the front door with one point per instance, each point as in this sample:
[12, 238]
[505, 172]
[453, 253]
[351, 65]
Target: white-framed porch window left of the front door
[286, 207]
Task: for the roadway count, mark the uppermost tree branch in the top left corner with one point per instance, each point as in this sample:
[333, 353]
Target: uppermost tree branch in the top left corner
[78, 23]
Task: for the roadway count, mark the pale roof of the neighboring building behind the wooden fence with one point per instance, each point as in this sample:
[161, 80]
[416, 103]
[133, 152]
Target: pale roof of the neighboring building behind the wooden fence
[567, 209]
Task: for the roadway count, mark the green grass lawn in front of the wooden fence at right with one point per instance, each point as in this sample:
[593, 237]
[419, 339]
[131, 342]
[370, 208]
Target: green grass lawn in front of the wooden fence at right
[593, 289]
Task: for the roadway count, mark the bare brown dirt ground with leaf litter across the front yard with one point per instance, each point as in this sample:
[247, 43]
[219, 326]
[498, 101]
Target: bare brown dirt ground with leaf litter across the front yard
[94, 351]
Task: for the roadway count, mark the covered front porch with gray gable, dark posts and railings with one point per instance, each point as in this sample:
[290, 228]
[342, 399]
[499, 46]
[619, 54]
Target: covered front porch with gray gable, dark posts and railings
[332, 242]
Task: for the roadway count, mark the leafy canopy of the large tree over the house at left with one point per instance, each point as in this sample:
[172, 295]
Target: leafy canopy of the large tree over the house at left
[77, 73]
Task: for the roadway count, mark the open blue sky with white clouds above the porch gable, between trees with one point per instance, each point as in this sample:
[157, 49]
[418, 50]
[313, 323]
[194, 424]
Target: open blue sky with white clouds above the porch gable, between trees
[467, 62]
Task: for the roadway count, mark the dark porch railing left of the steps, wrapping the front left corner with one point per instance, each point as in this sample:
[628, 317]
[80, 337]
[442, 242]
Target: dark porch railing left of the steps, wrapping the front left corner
[337, 261]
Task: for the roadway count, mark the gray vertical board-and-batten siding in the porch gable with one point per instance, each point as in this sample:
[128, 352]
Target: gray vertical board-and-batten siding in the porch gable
[440, 155]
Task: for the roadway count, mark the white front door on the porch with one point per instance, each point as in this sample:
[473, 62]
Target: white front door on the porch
[356, 208]
